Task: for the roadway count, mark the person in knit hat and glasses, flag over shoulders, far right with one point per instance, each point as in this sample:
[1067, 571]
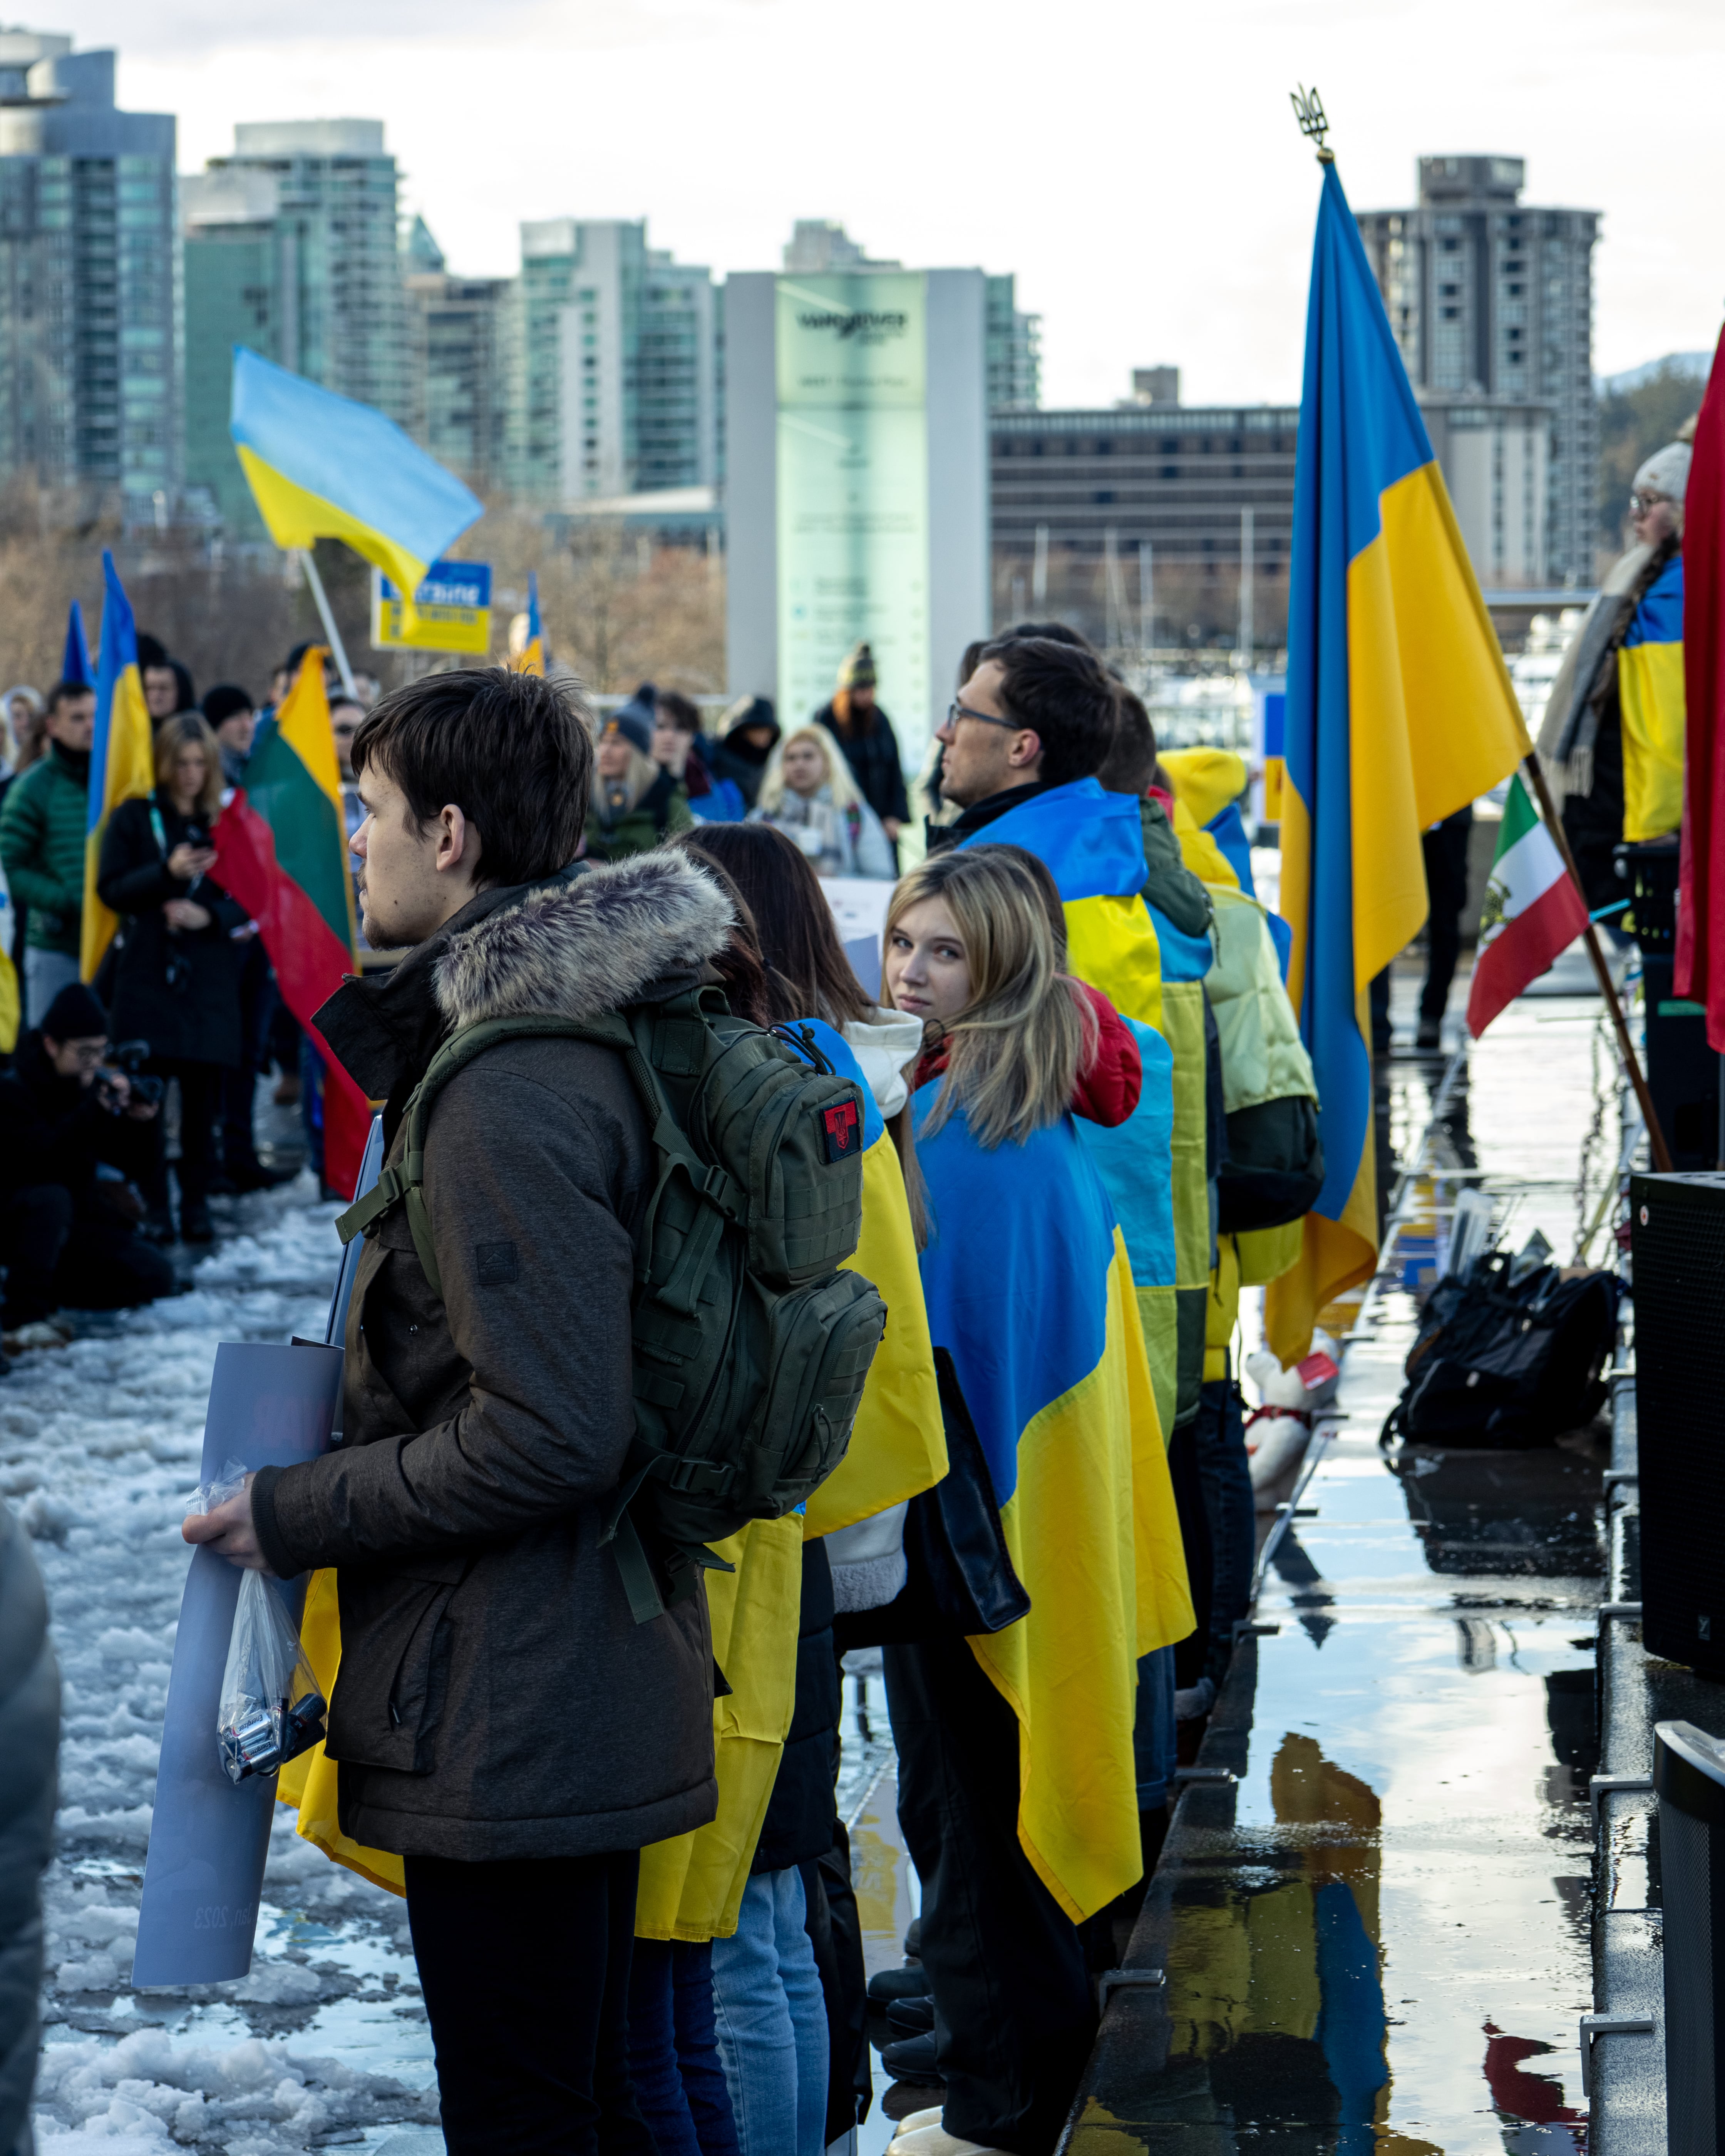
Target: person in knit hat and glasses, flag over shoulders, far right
[1614, 730]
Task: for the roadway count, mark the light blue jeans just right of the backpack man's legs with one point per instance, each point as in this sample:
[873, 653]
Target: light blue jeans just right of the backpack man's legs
[771, 2019]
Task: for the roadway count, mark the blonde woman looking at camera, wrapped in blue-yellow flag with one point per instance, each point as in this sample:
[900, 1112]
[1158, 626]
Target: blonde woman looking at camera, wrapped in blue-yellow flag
[1017, 1775]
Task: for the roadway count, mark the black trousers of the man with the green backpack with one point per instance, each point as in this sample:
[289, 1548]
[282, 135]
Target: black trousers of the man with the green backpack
[525, 1970]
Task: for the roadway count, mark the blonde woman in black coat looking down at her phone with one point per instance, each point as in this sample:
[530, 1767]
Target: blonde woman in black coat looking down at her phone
[178, 967]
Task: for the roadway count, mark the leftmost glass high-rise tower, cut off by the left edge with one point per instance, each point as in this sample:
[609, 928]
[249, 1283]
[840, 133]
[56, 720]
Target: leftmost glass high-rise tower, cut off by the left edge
[89, 279]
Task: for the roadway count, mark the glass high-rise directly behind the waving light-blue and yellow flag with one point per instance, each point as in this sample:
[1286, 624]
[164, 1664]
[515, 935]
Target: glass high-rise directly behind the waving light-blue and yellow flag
[292, 249]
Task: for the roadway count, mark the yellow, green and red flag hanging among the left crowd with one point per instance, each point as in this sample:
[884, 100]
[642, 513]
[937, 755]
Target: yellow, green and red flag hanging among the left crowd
[281, 851]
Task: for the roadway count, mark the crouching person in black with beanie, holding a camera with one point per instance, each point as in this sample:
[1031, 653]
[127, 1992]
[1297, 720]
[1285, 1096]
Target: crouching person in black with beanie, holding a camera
[74, 1133]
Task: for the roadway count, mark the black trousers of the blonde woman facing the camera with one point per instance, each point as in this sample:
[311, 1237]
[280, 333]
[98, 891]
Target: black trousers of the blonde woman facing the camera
[1004, 1959]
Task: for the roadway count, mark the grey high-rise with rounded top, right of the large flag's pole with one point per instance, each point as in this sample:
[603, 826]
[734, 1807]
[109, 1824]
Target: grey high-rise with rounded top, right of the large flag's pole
[1493, 307]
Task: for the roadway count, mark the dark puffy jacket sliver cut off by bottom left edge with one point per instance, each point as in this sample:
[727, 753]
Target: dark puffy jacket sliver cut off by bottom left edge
[29, 1752]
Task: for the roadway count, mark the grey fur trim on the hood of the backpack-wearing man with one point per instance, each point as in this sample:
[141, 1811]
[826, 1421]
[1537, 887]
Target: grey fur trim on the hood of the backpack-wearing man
[585, 948]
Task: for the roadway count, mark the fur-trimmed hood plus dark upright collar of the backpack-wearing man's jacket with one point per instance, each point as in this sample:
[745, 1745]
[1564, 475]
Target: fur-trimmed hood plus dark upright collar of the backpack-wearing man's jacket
[579, 948]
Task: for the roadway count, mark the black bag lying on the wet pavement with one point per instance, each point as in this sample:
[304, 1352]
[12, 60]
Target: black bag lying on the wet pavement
[1508, 1366]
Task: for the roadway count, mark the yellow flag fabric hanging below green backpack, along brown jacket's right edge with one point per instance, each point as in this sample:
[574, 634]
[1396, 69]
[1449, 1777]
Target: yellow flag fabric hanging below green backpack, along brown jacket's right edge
[691, 1888]
